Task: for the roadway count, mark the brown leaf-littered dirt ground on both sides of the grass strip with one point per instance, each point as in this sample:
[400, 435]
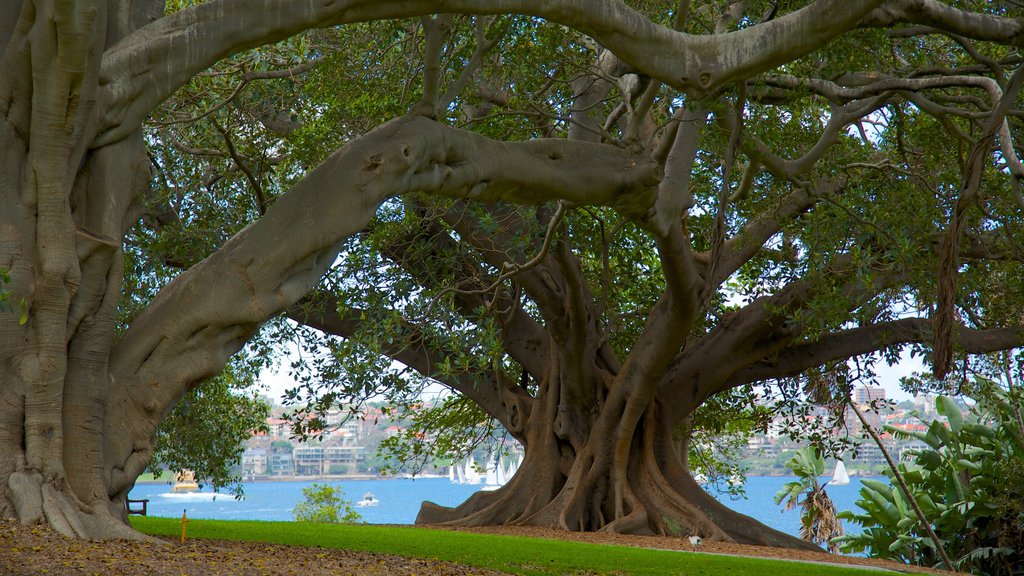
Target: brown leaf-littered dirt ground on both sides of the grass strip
[39, 552]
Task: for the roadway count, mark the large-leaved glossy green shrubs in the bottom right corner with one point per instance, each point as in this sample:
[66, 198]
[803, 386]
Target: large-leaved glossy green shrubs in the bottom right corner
[960, 479]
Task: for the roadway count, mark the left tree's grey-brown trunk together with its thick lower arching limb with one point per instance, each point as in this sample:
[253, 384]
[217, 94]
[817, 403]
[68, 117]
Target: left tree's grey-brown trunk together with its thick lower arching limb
[80, 402]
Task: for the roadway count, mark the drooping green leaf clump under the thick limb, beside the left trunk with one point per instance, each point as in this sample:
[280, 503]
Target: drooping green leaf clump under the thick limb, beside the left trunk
[206, 430]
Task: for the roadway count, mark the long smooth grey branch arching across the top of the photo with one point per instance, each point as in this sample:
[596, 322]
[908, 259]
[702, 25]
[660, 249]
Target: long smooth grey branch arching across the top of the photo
[149, 66]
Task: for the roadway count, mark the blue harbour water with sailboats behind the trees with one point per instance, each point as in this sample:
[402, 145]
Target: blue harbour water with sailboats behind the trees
[400, 501]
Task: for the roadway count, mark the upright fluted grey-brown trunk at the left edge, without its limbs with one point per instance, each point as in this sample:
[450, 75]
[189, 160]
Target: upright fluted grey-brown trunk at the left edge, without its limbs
[64, 211]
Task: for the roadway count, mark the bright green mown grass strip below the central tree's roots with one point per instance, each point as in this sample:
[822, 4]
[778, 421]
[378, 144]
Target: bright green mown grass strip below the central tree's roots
[506, 554]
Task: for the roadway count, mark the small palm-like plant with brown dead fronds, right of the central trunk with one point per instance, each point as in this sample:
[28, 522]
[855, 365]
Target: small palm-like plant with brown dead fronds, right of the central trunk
[818, 519]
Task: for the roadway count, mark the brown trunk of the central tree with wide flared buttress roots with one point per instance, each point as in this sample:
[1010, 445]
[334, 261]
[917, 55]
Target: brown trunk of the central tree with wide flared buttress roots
[601, 439]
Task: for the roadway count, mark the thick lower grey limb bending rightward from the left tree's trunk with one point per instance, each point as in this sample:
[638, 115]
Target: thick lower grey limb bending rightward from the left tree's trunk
[207, 314]
